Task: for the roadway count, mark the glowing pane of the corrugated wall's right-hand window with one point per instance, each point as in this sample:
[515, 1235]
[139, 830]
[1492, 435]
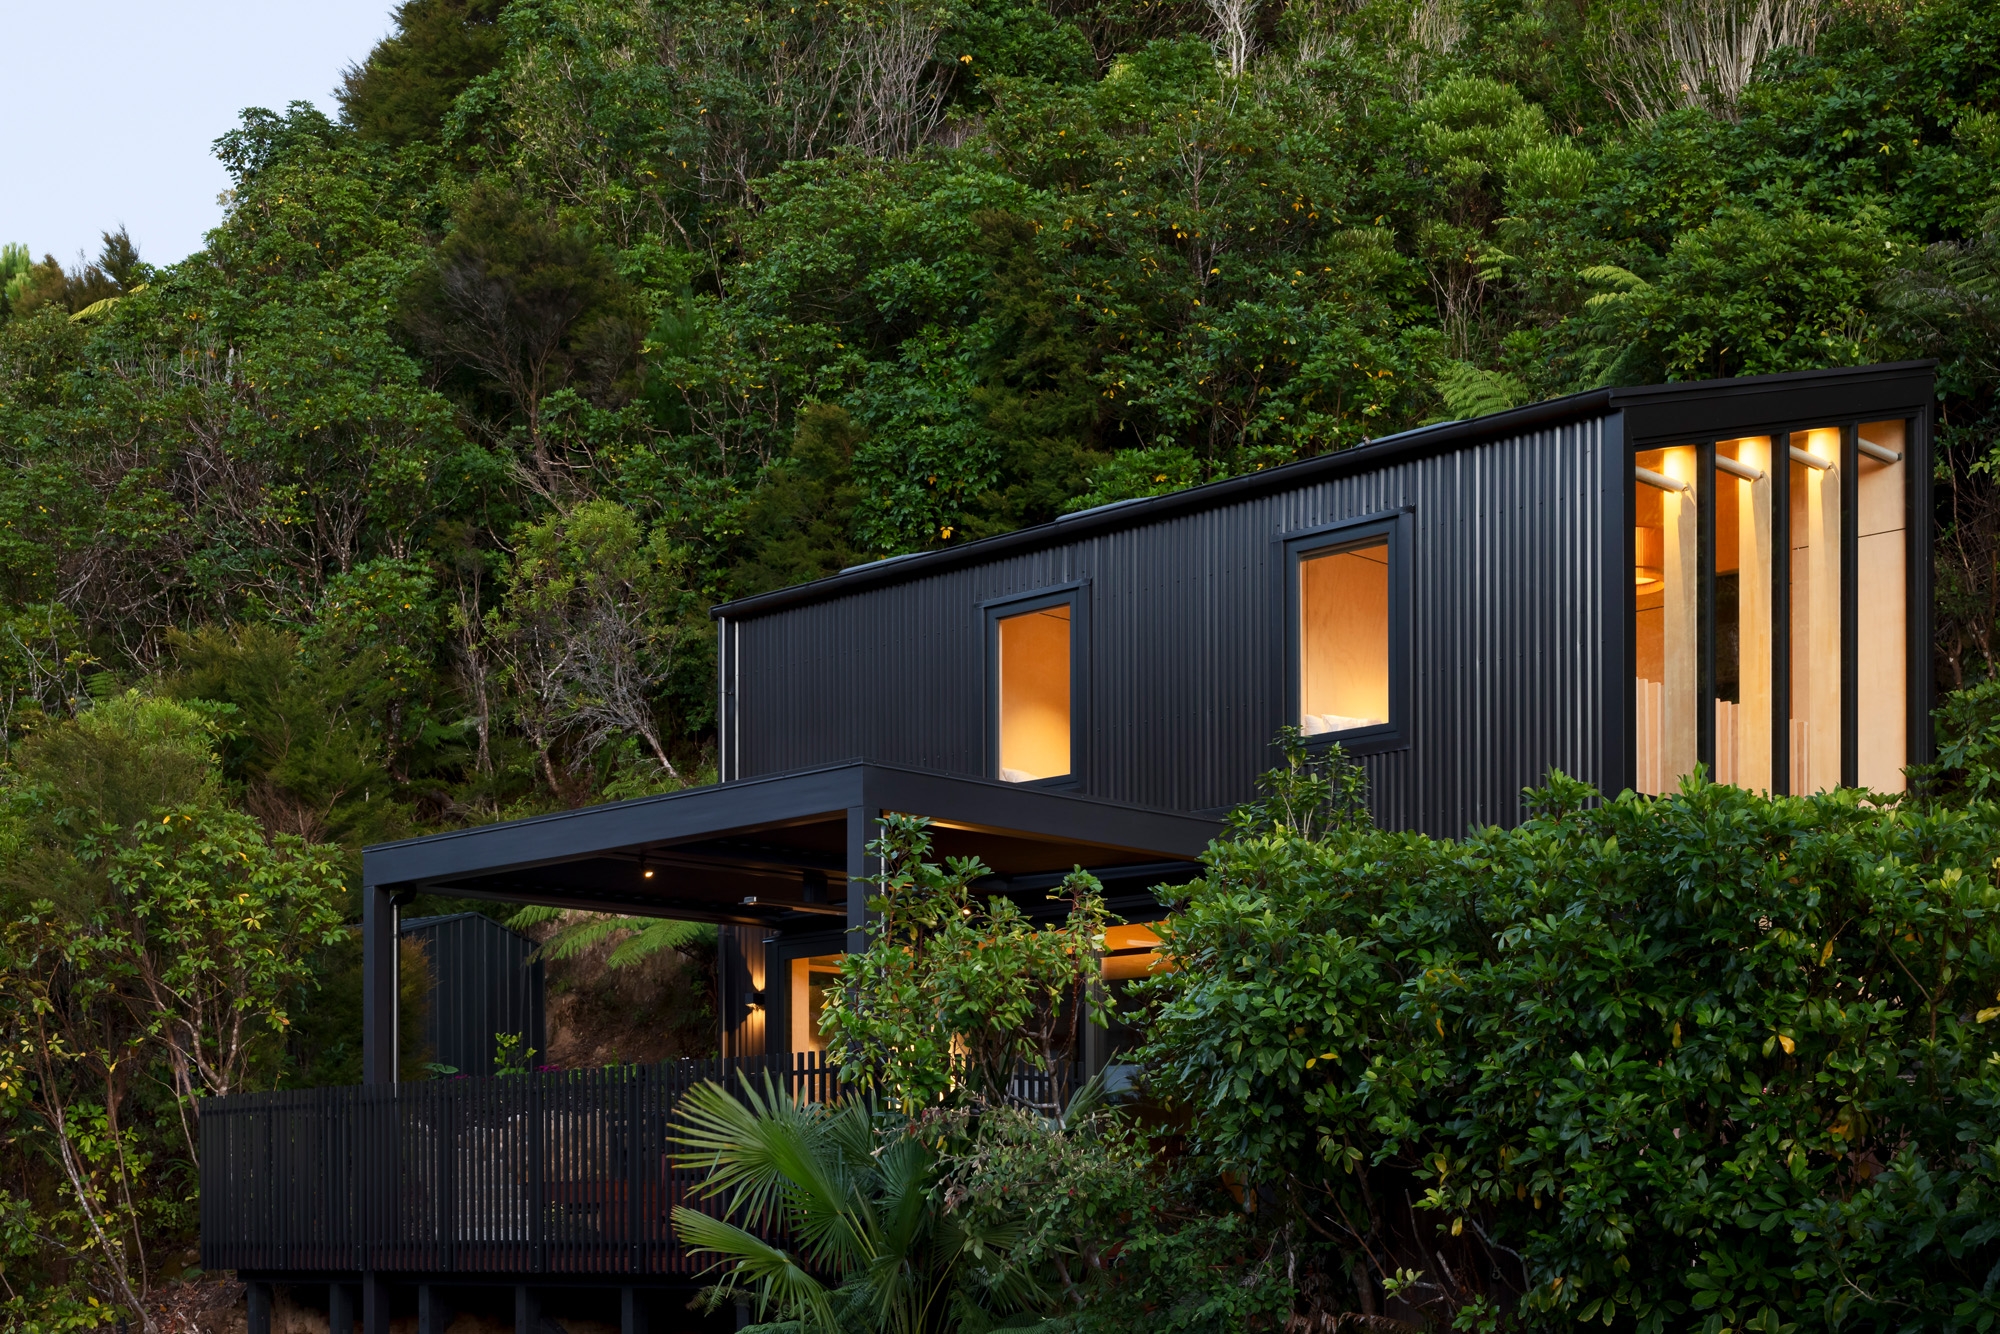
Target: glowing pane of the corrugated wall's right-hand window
[1343, 639]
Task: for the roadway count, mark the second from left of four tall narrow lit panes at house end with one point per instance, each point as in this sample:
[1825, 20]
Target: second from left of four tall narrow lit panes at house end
[1743, 613]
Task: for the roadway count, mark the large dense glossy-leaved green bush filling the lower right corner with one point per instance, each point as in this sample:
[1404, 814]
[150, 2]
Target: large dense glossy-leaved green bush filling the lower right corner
[1665, 1063]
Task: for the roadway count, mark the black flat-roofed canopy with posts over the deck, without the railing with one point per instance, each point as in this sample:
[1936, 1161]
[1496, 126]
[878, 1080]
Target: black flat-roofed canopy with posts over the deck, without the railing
[773, 863]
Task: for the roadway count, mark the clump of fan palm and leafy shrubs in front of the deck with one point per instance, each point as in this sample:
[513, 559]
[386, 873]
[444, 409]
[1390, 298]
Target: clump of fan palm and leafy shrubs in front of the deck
[947, 1189]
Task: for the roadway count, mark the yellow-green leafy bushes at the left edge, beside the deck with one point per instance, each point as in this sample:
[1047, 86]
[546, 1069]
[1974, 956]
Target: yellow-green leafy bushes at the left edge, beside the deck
[153, 945]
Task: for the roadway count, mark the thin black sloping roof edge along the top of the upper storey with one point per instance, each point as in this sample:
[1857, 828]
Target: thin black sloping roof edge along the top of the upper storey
[1417, 443]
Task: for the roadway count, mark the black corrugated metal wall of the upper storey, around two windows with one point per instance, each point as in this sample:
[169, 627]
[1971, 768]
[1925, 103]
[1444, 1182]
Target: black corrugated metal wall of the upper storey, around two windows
[1507, 639]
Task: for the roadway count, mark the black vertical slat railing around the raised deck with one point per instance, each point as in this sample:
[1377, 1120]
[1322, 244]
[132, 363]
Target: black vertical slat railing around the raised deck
[553, 1173]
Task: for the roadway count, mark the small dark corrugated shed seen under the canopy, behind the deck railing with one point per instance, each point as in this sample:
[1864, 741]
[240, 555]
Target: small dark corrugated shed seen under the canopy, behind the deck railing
[485, 981]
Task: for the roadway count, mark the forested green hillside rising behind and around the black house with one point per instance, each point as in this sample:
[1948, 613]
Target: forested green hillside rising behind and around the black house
[403, 503]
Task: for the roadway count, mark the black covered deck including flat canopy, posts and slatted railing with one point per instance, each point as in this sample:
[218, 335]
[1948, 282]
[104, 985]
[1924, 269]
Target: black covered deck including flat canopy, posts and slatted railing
[559, 1185]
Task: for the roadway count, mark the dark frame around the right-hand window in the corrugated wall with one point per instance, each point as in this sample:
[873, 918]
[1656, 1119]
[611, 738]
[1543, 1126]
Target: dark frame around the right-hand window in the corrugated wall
[1395, 527]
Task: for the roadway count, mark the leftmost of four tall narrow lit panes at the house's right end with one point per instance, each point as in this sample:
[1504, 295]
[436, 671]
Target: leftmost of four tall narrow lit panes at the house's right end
[1667, 581]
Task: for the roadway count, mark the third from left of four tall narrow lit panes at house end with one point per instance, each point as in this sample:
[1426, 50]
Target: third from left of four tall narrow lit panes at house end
[1815, 529]
